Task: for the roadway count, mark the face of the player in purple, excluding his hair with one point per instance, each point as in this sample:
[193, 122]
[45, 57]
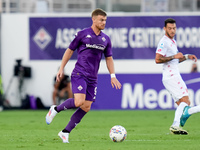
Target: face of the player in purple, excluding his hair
[100, 21]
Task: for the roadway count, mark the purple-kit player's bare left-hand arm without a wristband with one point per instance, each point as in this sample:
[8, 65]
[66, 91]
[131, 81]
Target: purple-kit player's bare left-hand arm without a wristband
[67, 55]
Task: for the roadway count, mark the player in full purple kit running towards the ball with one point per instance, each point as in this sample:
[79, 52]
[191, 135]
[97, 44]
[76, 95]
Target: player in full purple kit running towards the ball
[91, 43]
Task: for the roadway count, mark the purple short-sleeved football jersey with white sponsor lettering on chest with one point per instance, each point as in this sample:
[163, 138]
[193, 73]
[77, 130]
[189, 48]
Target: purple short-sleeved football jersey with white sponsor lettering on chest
[90, 48]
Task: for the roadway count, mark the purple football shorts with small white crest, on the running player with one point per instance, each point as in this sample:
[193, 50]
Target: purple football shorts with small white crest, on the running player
[81, 84]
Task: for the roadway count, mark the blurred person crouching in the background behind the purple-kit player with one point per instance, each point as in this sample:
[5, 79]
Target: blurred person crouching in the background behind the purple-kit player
[62, 90]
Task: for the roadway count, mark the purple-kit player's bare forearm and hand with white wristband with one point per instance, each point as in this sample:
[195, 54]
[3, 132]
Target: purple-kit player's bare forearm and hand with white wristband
[110, 65]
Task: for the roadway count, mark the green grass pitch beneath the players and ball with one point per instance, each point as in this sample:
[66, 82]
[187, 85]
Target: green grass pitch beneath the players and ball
[146, 130]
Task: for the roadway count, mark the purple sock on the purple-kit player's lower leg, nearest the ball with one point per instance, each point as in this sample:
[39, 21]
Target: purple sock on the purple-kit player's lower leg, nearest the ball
[75, 119]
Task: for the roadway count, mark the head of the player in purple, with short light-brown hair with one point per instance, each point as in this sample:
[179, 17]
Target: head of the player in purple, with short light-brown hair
[99, 17]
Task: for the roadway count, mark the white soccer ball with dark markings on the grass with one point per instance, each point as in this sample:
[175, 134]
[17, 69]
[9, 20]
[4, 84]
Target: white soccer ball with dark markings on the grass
[117, 133]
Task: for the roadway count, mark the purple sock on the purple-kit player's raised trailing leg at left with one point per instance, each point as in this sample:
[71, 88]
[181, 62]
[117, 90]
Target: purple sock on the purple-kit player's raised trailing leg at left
[67, 104]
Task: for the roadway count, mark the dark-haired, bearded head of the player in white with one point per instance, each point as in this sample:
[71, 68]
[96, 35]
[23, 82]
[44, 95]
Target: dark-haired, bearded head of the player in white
[170, 27]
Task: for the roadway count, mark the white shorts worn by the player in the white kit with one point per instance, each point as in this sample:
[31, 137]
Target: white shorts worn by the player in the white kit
[176, 87]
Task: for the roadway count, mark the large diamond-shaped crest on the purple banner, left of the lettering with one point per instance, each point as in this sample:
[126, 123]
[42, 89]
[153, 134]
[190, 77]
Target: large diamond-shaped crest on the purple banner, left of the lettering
[42, 38]
